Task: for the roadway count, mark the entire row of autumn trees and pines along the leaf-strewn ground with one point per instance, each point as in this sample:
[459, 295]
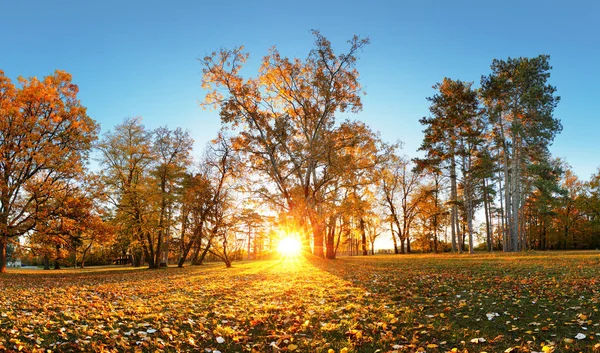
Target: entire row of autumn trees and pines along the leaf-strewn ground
[285, 163]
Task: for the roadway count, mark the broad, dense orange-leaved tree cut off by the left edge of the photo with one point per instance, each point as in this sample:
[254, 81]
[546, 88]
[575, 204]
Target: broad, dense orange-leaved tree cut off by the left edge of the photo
[45, 138]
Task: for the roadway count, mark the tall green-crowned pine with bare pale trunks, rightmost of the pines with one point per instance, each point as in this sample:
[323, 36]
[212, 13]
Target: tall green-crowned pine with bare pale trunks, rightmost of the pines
[520, 105]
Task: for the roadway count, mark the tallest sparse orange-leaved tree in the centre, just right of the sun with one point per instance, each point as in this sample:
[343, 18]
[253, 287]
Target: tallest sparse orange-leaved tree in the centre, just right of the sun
[286, 118]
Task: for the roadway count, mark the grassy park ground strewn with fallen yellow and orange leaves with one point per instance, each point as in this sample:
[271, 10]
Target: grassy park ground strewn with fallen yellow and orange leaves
[534, 302]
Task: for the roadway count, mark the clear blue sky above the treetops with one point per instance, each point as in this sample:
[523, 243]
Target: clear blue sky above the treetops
[139, 58]
